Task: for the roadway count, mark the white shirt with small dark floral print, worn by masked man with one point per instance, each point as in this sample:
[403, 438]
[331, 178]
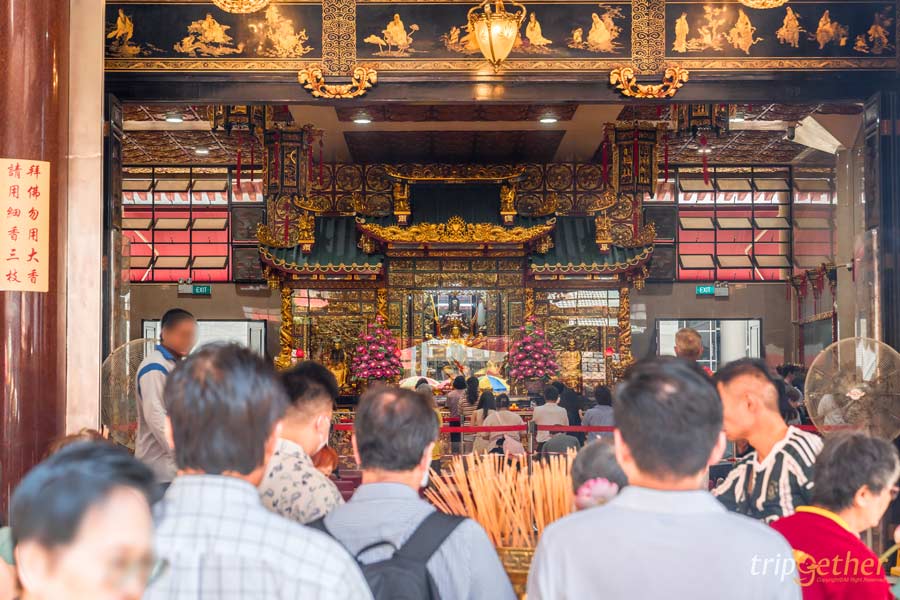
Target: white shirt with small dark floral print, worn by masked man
[294, 488]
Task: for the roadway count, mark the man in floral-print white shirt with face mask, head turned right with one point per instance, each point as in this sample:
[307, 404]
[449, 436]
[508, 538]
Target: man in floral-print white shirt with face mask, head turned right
[293, 487]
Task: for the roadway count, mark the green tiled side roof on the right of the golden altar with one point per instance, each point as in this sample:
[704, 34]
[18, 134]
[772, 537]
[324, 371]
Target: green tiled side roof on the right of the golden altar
[575, 251]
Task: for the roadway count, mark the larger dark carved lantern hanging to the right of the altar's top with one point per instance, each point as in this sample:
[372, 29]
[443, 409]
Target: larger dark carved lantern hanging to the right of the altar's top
[635, 156]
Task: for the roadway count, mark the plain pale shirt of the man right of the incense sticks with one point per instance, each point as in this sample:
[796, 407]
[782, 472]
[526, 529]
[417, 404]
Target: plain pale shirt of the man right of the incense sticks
[657, 544]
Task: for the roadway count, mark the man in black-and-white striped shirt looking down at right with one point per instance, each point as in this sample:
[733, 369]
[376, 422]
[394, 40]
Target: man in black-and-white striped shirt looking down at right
[776, 477]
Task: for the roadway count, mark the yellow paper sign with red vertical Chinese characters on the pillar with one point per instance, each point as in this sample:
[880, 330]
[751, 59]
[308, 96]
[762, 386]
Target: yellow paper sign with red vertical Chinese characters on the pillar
[24, 225]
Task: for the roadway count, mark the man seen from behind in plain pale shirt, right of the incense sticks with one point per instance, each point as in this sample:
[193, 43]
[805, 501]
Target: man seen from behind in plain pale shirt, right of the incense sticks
[668, 431]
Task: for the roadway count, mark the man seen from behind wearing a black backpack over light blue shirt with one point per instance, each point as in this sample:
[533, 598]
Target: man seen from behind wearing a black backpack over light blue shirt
[406, 549]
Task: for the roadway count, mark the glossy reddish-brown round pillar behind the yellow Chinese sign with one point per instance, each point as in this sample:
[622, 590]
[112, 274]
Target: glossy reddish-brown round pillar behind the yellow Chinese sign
[34, 50]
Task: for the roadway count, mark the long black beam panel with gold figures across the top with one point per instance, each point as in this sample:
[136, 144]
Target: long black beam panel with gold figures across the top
[430, 36]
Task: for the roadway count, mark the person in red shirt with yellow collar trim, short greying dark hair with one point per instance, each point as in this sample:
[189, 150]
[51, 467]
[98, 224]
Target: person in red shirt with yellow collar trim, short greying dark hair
[855, 480]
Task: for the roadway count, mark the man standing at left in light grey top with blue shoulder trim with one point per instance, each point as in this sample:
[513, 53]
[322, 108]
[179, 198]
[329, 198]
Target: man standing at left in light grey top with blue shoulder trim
[178, 334]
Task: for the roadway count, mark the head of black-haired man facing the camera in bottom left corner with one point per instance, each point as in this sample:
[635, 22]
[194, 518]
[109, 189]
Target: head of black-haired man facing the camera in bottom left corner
[81, 525]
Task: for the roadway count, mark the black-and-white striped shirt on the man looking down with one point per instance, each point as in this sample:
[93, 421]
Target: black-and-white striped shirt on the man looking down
[775, 487]
